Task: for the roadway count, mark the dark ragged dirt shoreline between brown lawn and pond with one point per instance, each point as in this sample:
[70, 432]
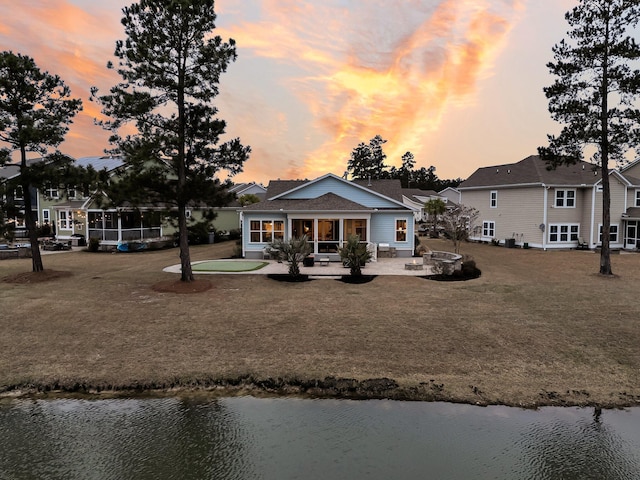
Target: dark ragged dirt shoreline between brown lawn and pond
[327, 388]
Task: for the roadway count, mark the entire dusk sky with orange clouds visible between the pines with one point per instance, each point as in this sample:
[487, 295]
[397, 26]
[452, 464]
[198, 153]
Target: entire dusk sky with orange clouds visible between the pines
[458, 83]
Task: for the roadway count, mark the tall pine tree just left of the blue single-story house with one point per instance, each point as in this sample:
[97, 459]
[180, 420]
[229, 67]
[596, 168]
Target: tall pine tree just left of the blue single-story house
[170, 66]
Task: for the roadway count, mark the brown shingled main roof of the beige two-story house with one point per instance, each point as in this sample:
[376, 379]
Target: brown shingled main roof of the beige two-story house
[531, 171]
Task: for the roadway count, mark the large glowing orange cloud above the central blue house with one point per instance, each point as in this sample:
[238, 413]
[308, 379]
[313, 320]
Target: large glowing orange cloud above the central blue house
[392, 68]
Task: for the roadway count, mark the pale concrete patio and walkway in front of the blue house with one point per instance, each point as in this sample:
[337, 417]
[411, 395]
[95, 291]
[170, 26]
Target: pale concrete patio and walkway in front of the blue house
[384, 266]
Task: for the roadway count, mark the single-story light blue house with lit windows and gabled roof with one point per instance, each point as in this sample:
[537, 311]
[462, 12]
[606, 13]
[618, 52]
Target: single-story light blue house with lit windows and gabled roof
[328, 210]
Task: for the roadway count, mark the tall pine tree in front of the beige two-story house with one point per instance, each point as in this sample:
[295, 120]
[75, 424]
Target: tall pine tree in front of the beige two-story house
[595, 92]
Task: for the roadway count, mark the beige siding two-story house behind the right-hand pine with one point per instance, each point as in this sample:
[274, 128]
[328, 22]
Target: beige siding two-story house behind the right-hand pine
[525, 204]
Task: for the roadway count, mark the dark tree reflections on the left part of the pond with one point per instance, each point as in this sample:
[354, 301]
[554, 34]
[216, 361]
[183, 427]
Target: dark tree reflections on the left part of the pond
[120, 439]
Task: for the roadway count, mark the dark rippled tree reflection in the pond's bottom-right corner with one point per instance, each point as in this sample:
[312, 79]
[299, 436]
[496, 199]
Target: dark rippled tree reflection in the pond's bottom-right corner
[577, 450]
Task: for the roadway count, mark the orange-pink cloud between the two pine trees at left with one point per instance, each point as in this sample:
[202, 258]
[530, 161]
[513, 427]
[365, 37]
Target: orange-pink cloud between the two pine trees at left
[71, 42]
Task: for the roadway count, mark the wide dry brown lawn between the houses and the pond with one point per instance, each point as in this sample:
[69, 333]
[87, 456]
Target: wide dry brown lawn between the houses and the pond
[537, 328]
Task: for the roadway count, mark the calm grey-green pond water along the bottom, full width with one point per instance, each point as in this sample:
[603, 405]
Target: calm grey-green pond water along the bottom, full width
[250, 438]
